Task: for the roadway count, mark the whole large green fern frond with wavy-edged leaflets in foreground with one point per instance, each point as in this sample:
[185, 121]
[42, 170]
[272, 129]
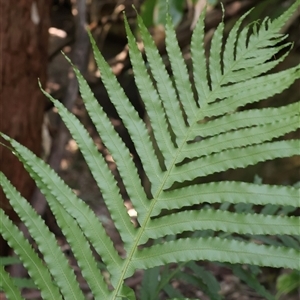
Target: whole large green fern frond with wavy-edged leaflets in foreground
[194, 129]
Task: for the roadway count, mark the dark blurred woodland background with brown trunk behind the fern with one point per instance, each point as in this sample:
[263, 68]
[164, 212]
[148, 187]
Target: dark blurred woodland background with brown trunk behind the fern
[33, 35]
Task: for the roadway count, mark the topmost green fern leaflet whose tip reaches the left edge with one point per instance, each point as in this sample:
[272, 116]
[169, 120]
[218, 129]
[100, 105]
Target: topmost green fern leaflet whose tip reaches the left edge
[86, 219]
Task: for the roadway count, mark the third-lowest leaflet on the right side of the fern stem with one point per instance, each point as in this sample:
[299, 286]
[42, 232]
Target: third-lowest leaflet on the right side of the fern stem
[227, 191]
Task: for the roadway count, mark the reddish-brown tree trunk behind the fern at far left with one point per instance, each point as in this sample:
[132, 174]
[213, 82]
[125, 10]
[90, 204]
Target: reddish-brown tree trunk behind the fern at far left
[23, 59]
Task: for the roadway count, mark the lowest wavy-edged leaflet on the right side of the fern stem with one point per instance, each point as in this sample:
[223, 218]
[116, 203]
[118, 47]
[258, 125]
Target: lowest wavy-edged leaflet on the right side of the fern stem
[223, 250]
